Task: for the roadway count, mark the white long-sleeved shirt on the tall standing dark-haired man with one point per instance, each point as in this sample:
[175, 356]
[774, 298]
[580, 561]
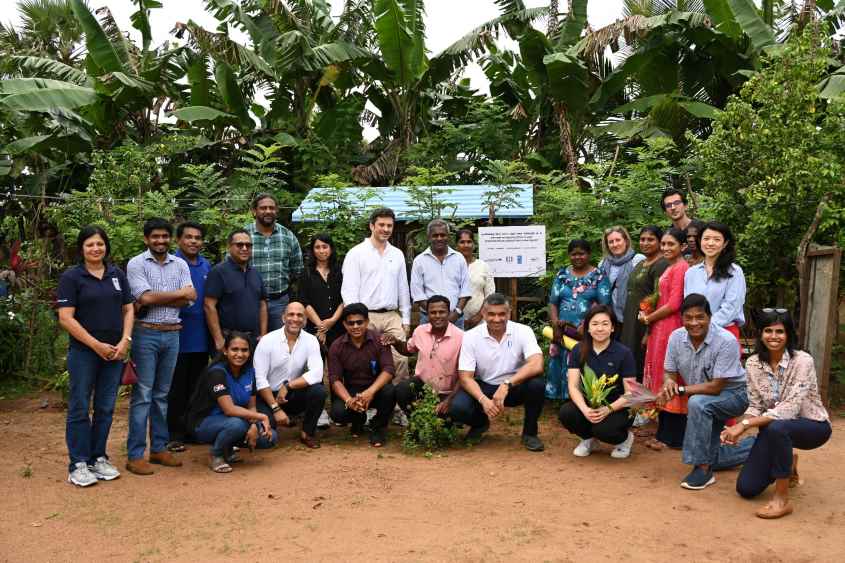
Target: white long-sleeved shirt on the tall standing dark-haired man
[378, 280]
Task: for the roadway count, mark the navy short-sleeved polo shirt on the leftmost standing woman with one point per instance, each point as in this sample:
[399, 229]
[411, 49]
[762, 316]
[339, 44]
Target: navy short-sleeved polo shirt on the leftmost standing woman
[98, 303]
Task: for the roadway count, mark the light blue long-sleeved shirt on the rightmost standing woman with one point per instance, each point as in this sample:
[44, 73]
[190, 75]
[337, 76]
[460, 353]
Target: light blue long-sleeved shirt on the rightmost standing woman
[726, 296]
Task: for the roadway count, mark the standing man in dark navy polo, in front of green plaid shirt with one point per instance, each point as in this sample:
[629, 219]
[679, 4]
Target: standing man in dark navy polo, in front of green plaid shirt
[235, 296]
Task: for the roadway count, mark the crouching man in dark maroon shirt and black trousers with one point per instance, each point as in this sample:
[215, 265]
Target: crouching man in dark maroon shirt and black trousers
[360, 371]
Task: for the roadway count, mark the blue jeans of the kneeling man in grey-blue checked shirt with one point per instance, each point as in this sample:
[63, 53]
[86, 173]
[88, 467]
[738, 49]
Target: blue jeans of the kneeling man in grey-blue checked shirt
[705, 421]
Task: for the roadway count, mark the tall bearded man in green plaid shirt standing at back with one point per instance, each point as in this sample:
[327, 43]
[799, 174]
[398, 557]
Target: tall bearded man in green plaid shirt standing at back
[276, 255]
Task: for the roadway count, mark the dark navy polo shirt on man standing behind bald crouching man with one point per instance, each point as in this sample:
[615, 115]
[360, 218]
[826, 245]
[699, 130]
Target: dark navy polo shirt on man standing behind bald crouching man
[239, 294]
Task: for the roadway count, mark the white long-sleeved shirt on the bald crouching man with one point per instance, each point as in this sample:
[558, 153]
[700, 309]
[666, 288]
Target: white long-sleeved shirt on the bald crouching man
[275, 363]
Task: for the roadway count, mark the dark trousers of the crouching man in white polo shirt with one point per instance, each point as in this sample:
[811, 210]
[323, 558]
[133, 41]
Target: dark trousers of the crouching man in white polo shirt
[530, 393]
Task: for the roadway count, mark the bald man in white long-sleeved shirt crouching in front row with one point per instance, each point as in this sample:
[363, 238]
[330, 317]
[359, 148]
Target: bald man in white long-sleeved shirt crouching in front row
[289, 375]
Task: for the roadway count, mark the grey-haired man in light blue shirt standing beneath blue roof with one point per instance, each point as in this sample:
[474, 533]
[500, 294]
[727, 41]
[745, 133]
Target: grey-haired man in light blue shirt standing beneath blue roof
[441, 270]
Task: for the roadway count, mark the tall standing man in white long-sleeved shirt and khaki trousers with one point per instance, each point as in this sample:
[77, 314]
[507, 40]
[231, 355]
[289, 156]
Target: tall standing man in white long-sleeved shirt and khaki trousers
[375, 274]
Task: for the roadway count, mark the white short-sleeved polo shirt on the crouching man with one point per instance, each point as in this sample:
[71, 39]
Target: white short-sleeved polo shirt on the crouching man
[494, 361]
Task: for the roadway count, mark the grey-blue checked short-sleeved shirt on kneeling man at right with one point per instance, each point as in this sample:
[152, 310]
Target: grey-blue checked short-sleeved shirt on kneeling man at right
[716, 358]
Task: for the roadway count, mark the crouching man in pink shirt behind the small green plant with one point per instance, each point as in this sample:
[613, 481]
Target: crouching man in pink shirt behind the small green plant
[438, 345]
